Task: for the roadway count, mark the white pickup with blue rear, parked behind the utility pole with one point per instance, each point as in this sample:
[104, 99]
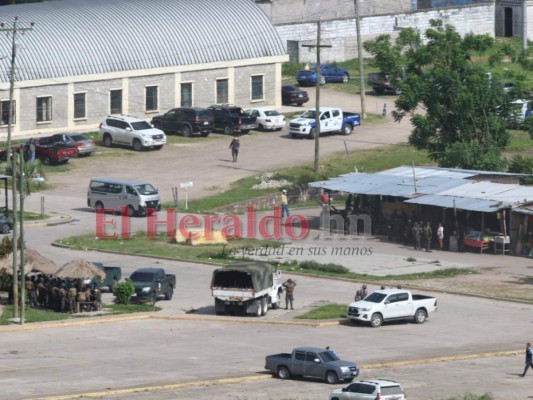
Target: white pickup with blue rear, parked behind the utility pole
[332, 119]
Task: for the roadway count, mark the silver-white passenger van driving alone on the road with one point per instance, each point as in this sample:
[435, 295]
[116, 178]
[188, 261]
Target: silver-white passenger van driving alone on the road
[110, 193]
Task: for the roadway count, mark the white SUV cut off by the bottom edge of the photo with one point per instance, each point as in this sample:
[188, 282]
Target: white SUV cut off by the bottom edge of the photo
[371, 389]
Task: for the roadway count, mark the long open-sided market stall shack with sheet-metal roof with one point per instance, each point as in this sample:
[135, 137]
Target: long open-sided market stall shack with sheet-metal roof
[471, 204]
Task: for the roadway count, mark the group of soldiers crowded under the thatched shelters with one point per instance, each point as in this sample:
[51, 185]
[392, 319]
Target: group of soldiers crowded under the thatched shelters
[61, 295]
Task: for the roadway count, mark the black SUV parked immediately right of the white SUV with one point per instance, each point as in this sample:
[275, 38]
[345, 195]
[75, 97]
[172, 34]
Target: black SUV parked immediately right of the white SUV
[186, 120]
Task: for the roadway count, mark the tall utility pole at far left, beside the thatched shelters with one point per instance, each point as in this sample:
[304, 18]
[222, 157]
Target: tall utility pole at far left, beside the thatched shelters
[13, 30]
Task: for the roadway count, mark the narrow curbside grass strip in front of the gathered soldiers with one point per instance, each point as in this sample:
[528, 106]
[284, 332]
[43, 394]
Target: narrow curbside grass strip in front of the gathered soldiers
[37, 315]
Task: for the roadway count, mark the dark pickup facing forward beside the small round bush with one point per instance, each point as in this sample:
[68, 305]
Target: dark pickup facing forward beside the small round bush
[150, 283]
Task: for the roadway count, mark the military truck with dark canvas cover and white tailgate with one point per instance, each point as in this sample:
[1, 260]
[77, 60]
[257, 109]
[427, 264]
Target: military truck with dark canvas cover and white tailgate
[250, 288]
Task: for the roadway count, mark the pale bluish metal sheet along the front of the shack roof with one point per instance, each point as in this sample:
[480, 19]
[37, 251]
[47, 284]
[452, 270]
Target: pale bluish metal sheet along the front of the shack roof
[461, 203]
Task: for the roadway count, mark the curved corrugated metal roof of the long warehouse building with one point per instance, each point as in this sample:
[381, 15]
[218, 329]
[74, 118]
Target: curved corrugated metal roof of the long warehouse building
[79, 37]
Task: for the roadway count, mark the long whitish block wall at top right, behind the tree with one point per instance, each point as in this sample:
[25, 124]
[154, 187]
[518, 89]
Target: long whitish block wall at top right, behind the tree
[341, 33]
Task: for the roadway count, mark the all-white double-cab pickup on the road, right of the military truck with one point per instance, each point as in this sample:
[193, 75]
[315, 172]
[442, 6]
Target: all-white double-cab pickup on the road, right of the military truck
[392, 304]
